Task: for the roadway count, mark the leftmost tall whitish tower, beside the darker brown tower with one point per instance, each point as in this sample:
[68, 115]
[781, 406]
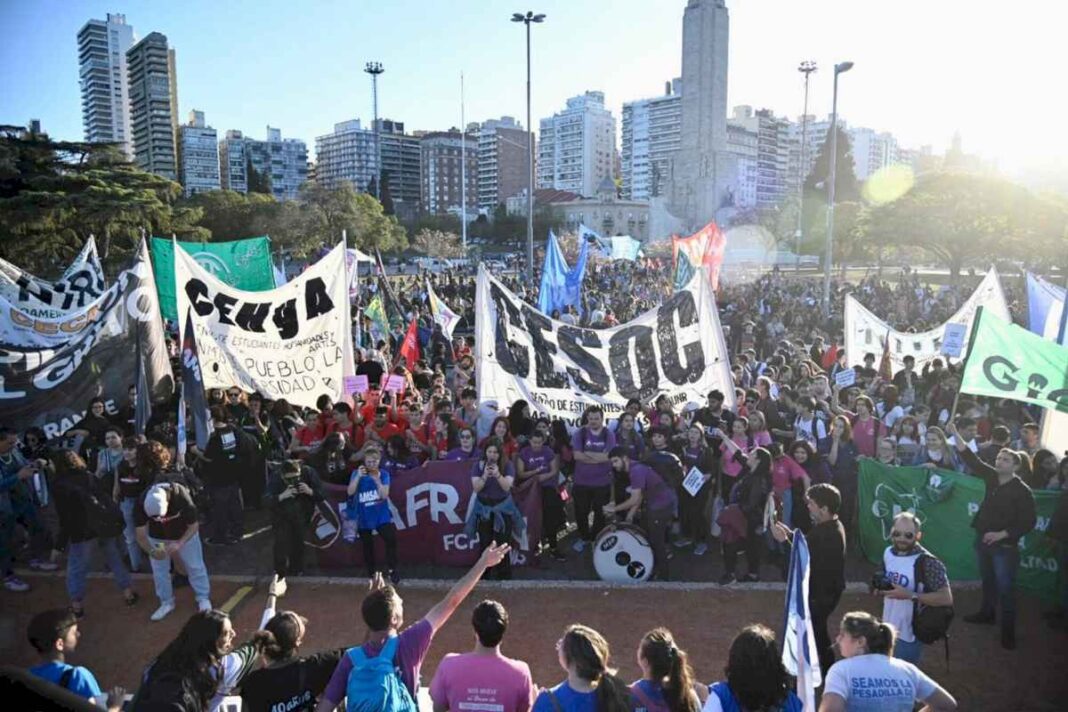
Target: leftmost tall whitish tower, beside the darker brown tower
[105, 85]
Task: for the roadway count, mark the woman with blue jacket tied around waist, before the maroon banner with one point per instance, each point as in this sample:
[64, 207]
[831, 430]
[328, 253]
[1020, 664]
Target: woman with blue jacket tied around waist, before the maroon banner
[495, 516]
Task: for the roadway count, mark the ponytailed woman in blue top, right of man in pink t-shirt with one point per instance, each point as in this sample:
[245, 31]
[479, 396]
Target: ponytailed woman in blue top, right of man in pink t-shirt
[592, 684]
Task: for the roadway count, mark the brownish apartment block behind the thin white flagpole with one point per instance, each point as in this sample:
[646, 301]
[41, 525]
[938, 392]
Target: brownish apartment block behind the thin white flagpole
[447, 156]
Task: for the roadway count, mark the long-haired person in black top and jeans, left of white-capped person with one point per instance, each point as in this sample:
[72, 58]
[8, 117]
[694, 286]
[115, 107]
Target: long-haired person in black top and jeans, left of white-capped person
[87, 518]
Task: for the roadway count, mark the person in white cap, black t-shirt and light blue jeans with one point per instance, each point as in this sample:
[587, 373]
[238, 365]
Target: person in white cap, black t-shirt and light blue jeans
[167, 528]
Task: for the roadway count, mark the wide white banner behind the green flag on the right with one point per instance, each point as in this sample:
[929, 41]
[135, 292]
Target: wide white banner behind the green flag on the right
[866, 333]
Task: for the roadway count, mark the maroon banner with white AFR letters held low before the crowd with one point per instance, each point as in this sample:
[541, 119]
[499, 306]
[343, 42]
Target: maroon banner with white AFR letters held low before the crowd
[430, 508]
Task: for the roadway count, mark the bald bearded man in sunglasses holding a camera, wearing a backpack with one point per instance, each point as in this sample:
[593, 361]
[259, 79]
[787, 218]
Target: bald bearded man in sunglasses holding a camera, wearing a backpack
[910, 577]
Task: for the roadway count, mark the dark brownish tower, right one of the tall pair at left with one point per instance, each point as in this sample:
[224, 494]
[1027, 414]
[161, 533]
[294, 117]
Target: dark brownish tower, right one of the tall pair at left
[153, 89]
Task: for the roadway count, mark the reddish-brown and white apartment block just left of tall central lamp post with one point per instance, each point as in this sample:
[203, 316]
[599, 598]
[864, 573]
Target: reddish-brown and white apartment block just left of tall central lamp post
[504, 162]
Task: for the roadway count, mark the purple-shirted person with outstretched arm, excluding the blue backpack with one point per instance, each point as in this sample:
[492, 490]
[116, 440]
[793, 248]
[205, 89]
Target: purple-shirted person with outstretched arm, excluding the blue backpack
[383, 611]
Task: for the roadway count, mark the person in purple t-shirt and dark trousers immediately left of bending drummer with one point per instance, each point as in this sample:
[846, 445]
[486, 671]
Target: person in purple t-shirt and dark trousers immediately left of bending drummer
[593, 474]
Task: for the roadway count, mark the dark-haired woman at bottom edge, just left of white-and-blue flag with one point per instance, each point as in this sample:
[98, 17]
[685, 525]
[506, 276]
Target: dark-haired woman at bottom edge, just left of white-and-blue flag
[757, 681]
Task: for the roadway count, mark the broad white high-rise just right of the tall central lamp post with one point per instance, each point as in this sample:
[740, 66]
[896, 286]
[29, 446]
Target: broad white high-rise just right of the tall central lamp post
[577, 146]
